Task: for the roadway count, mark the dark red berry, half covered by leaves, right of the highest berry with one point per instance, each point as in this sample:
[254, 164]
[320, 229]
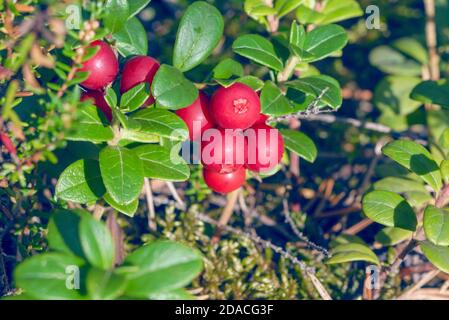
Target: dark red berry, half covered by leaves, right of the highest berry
[137, 70]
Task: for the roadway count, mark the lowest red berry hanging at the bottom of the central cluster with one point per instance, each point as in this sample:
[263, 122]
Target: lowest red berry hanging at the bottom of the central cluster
[224, 182]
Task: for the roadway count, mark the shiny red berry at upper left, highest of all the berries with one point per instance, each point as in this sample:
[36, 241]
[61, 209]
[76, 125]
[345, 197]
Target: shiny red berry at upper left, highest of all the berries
[103, 67]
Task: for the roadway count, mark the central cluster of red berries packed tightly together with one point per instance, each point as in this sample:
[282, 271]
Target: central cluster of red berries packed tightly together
[245, 141]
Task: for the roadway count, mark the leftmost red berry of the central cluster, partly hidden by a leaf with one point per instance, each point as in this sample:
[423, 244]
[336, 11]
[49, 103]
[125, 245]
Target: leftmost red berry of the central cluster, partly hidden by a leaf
[196, 117]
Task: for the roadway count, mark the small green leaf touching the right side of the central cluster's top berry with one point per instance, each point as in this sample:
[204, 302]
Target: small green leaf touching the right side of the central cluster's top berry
[273, 102]
